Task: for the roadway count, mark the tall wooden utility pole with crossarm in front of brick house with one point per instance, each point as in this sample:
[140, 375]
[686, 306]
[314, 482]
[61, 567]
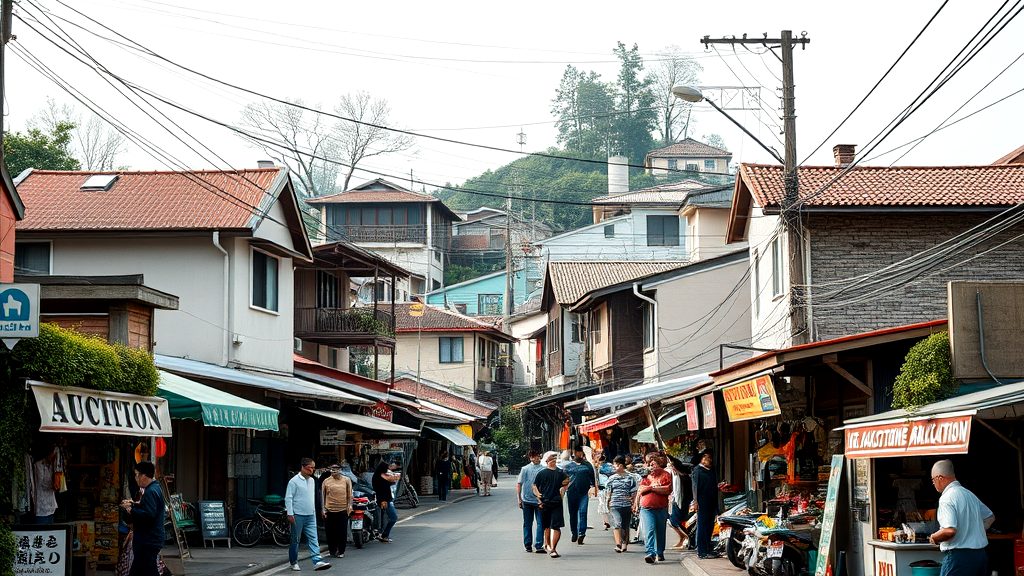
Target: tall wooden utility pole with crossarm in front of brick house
[791, 216]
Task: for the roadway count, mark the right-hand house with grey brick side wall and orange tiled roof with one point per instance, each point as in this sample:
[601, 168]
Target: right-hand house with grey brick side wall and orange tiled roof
[878, 250]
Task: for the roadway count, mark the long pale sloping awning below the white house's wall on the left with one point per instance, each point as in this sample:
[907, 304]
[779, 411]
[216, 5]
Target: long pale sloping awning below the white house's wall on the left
[286, 386]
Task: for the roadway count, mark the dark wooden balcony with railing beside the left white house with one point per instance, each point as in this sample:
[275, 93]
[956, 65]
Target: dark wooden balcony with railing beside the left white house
[345, 326]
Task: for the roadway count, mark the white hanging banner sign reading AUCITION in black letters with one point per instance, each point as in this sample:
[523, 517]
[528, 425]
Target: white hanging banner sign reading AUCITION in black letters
[69, 409]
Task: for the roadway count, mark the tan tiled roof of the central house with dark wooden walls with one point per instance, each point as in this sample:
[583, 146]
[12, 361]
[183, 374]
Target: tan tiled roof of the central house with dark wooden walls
[574, 280]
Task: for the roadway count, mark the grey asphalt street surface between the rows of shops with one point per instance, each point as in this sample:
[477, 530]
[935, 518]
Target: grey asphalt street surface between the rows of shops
[484, 537]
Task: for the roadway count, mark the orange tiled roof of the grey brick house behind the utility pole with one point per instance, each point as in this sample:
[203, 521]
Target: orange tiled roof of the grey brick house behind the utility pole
[880, 186]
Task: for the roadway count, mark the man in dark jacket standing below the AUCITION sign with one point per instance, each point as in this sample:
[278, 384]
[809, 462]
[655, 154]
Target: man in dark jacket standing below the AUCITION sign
[148, 522]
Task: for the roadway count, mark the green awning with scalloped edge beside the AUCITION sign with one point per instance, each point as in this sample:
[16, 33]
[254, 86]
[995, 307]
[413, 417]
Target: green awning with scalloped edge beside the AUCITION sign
[193, 401]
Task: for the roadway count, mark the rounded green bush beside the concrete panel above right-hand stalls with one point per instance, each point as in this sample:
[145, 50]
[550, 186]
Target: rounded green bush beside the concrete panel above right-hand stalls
[927, 375]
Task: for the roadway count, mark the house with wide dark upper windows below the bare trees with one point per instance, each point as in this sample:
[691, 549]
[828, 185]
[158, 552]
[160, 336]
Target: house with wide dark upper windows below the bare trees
[413, 231]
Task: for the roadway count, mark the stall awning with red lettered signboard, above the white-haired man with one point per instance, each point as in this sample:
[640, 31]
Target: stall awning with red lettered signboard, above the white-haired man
[937, 429]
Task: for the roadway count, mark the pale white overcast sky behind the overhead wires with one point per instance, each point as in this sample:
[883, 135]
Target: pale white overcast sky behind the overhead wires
[483, 72]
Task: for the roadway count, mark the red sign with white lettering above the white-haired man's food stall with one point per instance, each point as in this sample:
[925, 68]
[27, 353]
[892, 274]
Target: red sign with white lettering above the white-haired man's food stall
[951, 435]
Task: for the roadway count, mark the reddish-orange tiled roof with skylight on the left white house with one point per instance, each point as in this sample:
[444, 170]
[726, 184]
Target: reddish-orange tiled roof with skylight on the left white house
[194, 200]
